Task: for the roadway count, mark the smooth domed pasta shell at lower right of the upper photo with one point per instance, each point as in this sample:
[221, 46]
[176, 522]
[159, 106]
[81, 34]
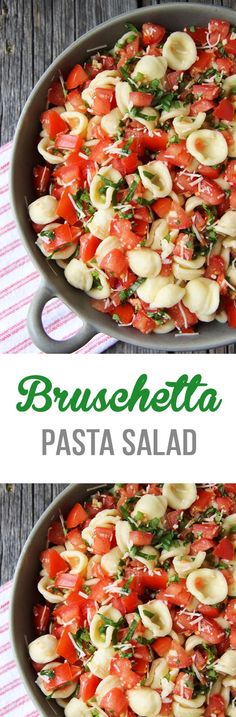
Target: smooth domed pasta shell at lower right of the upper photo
[202, 296]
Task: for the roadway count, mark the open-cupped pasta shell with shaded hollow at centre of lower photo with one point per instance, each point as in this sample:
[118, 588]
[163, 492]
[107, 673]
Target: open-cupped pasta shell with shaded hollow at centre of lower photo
[161, 623]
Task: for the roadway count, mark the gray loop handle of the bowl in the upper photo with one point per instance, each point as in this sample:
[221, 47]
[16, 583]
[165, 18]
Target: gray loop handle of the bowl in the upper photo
[38, 334]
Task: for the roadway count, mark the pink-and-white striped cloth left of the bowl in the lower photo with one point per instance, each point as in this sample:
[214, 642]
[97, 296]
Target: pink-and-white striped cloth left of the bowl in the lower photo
[13, 698]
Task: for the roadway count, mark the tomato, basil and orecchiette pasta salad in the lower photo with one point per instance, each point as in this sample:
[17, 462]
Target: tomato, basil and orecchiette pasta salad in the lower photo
[138, 604]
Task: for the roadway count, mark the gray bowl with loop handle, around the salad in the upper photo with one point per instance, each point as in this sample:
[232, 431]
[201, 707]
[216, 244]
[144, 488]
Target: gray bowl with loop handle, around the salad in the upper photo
[174, 16]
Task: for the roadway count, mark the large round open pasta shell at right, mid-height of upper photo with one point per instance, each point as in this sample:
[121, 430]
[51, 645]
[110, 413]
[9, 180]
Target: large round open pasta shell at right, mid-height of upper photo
[214, 148]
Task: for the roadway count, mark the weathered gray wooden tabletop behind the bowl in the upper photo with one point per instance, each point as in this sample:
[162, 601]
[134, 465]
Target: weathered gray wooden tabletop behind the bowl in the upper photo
[34, 32]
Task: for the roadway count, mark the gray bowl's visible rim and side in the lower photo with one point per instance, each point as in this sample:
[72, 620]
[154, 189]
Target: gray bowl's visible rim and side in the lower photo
[25, 594]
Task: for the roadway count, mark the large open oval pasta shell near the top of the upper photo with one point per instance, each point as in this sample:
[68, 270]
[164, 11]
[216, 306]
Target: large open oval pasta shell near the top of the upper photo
[179, 51]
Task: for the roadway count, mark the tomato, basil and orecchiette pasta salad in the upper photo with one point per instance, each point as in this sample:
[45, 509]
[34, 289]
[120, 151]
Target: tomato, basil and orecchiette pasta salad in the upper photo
[137, 190]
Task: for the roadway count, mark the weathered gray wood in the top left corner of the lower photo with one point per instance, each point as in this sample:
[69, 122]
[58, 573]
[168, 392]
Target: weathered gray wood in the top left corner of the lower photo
[20, 507]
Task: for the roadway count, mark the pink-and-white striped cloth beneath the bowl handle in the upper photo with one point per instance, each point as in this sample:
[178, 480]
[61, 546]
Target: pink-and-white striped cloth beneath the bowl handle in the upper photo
[18, 282]
